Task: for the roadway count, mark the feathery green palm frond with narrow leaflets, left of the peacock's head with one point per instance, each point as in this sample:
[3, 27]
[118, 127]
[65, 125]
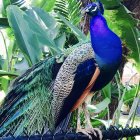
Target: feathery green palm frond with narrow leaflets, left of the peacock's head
[70, 10]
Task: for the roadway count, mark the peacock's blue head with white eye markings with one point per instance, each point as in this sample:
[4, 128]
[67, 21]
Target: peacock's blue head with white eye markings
[94, 8]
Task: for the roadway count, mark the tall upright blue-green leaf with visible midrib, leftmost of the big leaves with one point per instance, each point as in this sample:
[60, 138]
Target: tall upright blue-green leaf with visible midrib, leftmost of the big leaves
[26, 38]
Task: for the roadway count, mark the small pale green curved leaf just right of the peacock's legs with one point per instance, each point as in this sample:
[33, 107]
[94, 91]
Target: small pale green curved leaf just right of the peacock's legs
[99, 107]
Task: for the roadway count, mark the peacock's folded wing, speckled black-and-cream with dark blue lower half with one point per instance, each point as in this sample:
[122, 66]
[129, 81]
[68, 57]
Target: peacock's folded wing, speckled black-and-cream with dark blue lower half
[72, 79]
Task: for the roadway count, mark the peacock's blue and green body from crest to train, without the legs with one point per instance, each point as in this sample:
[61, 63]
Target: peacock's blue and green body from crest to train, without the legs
[45, 94]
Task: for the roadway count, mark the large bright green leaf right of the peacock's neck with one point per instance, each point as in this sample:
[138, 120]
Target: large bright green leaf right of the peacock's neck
[122, 23]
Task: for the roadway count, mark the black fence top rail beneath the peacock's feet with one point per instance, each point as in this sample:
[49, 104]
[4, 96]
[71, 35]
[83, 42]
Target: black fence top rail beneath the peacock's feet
[111, 133]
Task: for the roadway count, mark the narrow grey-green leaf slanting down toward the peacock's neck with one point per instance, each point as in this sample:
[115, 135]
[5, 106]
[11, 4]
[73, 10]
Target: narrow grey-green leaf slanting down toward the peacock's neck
[75, 30]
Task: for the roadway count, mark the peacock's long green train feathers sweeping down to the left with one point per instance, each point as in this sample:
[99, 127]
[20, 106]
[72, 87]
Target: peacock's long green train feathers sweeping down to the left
[27, 105]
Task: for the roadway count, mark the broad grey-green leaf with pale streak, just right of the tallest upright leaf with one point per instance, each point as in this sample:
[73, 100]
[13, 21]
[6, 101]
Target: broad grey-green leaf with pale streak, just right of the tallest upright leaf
[44, 34]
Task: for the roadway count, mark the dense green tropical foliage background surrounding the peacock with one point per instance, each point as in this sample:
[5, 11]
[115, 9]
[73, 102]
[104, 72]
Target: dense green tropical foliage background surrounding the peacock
[31, 30]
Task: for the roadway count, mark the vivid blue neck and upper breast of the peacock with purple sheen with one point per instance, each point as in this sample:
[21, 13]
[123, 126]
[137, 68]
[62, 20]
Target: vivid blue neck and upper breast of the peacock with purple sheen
[105, 43]
